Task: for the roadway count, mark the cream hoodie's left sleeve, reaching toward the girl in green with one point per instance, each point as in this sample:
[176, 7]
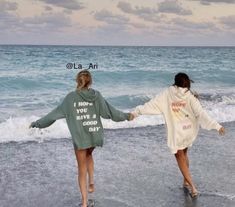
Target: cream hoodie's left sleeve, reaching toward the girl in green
[152, 107]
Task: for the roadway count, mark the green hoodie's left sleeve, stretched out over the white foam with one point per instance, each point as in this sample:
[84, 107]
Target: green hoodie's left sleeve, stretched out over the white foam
[50, 118]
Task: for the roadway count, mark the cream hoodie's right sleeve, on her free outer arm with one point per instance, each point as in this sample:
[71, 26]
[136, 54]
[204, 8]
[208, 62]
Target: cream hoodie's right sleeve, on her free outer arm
[205, 121]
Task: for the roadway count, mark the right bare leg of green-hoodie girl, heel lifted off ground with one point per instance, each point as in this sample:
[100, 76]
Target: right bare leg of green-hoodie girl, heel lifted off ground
[90, 168]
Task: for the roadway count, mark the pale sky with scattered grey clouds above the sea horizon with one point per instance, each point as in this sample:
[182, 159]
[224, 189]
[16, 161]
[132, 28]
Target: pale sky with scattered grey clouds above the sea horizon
[118, 22]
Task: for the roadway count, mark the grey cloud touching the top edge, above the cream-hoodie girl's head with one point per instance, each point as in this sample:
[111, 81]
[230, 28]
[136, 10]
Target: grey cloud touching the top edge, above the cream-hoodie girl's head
[174, 7]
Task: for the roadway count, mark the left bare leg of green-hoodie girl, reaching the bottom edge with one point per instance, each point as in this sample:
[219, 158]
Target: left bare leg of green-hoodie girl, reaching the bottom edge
[81, 156]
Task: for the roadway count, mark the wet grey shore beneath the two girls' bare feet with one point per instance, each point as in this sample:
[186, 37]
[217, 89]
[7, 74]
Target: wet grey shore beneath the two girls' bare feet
[134, 168]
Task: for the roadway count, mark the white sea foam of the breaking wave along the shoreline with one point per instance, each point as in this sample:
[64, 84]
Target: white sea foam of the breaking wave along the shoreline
[17, 128]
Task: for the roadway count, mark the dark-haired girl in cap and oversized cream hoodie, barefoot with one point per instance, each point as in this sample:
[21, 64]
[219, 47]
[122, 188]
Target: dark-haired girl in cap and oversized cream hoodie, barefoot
[183, 115]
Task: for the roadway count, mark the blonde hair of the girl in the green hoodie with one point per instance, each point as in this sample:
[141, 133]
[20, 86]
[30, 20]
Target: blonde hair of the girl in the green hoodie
[83, 79]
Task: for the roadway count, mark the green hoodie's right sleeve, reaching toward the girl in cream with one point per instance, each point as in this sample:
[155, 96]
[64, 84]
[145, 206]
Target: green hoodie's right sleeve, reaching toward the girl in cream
[107, 111]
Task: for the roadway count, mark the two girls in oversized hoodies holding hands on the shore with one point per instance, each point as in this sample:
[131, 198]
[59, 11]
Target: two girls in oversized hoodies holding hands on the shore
[84, 107]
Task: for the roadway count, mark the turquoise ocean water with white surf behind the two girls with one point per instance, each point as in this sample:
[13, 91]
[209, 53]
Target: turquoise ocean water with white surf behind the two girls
[35, 79]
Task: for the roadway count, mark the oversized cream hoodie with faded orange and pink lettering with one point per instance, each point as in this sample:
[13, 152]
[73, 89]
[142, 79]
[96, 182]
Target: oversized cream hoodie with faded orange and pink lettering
[183, 114]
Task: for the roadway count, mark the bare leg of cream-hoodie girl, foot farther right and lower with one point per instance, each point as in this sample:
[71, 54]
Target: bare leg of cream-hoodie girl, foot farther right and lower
[183, 166]
